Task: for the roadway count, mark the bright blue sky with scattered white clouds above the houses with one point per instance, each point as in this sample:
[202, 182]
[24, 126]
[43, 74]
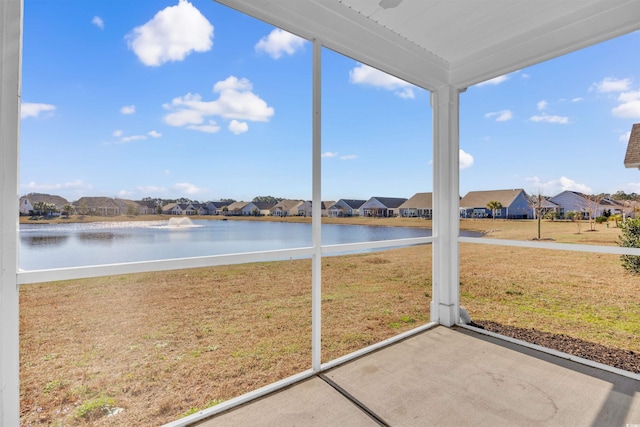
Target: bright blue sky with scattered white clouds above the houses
[190, 99]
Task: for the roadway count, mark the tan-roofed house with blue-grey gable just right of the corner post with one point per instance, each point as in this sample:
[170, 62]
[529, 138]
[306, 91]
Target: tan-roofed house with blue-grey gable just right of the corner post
[515, 204]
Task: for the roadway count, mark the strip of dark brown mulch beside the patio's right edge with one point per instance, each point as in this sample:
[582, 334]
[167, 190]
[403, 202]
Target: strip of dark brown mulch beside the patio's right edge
[619, 358]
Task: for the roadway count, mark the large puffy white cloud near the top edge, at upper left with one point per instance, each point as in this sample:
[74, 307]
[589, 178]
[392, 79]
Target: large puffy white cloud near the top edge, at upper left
[171, 35]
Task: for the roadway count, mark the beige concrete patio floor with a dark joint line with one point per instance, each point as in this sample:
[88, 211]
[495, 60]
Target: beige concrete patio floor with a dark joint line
[449, 377]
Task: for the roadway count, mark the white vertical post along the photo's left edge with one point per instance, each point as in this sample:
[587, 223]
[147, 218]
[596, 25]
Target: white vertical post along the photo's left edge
[10, 68]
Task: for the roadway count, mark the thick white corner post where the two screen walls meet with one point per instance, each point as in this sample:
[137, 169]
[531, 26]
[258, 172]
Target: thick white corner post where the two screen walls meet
[446, 201]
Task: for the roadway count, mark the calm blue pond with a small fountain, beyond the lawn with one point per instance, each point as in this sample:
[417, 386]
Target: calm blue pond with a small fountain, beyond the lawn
[44, 246]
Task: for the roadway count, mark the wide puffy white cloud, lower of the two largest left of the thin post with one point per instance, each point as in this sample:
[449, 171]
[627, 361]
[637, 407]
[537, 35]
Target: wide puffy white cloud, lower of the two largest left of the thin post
[236, 101]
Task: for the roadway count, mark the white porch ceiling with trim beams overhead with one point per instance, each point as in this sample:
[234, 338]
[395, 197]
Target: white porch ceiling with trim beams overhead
[450, 42]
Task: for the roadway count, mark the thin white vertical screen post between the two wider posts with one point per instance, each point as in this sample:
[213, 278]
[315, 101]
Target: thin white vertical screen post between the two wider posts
[316, 211]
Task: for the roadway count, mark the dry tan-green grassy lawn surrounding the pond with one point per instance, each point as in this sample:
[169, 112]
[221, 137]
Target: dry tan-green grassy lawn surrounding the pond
[157, 346]
